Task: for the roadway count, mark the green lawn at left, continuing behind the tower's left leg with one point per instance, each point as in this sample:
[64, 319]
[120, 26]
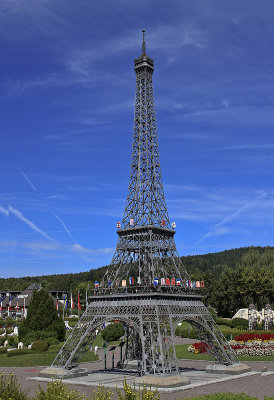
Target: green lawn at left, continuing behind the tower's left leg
[38, 359]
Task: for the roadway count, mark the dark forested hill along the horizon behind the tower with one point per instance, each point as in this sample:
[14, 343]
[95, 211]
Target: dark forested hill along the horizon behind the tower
[196, 265]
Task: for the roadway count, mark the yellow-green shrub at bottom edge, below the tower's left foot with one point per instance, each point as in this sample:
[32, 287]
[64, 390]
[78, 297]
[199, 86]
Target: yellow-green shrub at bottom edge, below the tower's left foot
[57, 390]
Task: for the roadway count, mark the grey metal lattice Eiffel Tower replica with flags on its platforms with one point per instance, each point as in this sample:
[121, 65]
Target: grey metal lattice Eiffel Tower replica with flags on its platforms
[146, 286]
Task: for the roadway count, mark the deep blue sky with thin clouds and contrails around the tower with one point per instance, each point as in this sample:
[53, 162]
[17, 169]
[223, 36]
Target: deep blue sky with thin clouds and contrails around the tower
[67, 103]
